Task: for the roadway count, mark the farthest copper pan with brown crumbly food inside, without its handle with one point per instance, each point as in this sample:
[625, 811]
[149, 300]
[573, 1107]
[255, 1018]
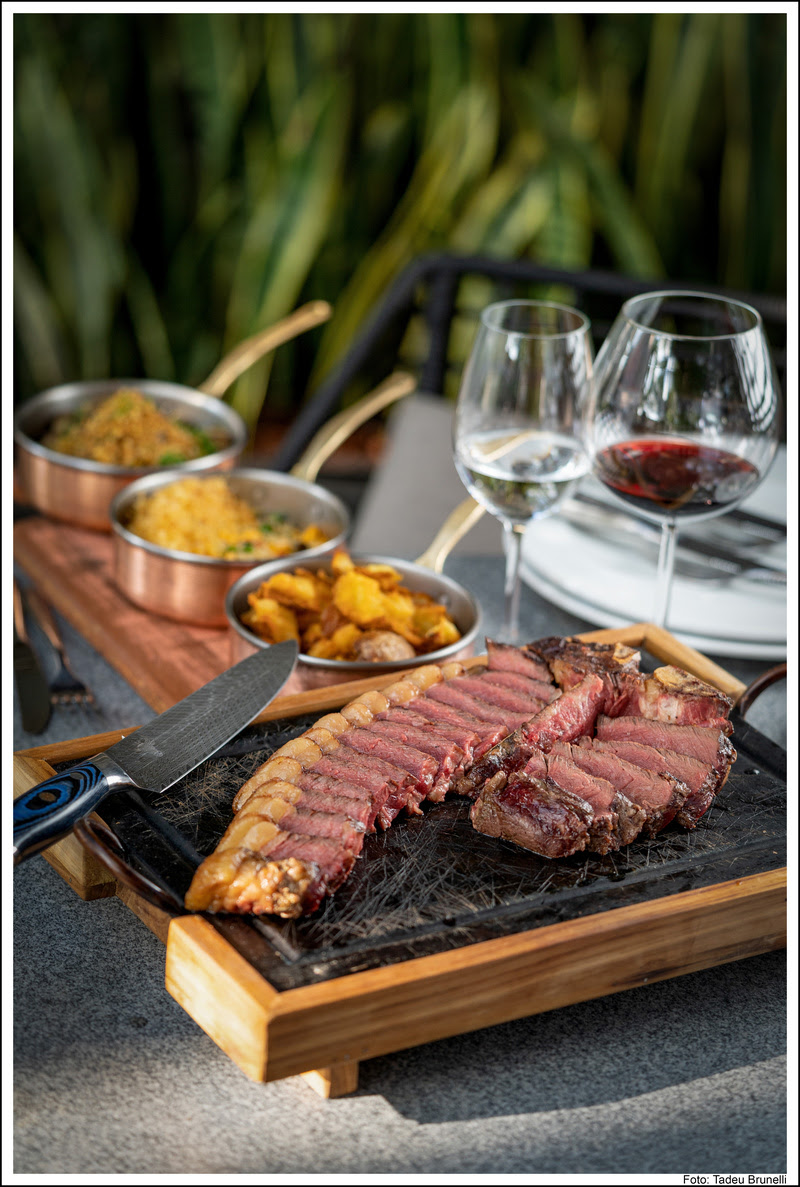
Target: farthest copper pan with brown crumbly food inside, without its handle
[79, 445]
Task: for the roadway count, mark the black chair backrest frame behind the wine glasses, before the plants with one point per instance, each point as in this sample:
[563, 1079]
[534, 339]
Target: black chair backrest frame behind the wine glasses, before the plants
[428, 319]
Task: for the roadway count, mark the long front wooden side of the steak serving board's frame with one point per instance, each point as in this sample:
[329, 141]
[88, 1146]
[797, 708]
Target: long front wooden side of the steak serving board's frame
[435, 998]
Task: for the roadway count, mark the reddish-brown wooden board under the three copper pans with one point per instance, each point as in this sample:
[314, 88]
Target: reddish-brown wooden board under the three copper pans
[163, 661]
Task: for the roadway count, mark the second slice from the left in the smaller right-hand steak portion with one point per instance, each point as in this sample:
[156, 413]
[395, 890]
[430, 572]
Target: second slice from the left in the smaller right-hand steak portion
[617, 820]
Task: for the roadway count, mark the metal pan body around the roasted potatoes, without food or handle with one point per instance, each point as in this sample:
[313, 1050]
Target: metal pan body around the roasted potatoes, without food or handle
[315, 674]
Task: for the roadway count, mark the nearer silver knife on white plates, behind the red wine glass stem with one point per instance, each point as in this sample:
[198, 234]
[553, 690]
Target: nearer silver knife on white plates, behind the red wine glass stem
[593, 516]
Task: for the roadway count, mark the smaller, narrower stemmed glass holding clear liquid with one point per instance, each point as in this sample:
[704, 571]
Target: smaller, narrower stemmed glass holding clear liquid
[518, 427]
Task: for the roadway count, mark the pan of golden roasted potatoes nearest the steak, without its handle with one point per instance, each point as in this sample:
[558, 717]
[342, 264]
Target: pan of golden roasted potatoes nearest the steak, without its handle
[445, 629]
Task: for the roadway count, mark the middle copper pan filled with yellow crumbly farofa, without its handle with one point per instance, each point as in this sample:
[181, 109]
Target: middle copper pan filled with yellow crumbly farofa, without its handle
[182, 541]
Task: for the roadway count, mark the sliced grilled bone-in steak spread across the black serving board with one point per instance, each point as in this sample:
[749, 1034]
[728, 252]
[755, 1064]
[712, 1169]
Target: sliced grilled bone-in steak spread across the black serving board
[582, 763]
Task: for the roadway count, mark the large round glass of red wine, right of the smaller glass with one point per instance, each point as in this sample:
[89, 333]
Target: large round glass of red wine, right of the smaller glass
[684, 415]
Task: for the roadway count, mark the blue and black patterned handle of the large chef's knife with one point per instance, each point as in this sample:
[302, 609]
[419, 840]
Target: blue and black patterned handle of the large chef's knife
[50, 809]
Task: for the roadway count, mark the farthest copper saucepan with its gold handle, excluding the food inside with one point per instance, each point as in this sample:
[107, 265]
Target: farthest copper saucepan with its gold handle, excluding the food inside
[79, 491]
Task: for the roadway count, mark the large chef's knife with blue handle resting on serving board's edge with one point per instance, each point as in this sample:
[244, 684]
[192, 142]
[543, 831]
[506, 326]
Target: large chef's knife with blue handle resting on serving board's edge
[156, 756]
